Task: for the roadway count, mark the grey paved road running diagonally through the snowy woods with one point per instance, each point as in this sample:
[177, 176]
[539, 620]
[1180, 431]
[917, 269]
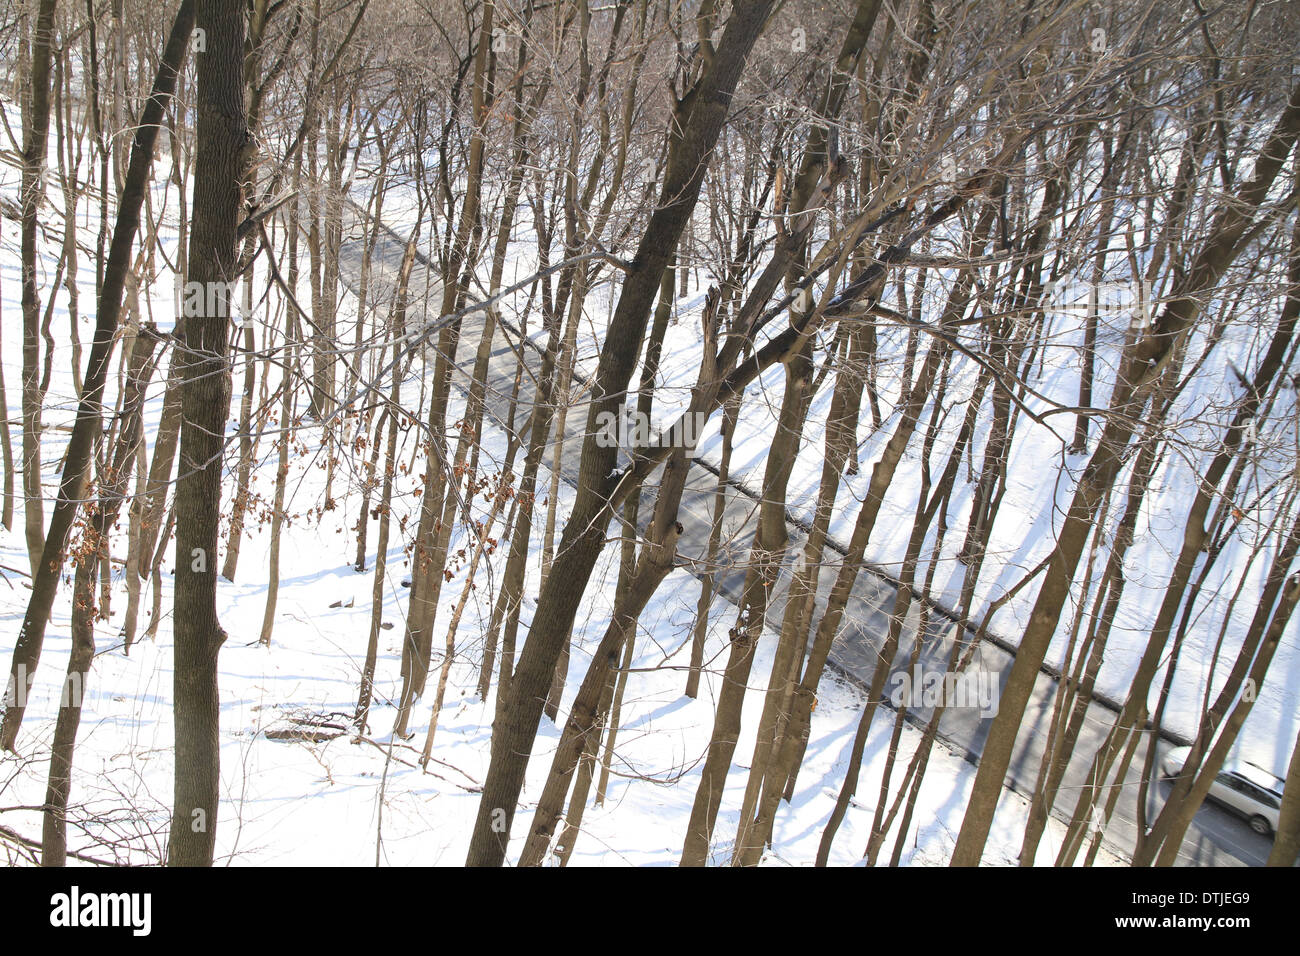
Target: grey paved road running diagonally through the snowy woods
[1216, 838]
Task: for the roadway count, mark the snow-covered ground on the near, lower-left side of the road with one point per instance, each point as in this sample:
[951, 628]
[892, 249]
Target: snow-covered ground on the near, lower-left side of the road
[343, 802]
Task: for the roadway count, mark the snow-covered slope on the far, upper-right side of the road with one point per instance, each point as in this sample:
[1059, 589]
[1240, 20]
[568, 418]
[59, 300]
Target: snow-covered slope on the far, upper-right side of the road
[1041, 483]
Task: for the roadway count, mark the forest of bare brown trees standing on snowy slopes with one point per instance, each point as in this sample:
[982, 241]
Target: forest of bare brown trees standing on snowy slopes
[660, 431]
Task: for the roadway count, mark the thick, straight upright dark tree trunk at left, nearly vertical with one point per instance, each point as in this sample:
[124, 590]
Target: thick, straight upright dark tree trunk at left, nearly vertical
[205, 408]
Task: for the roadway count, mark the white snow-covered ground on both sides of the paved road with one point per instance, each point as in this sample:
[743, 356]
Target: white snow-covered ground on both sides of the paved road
[348, 802]
